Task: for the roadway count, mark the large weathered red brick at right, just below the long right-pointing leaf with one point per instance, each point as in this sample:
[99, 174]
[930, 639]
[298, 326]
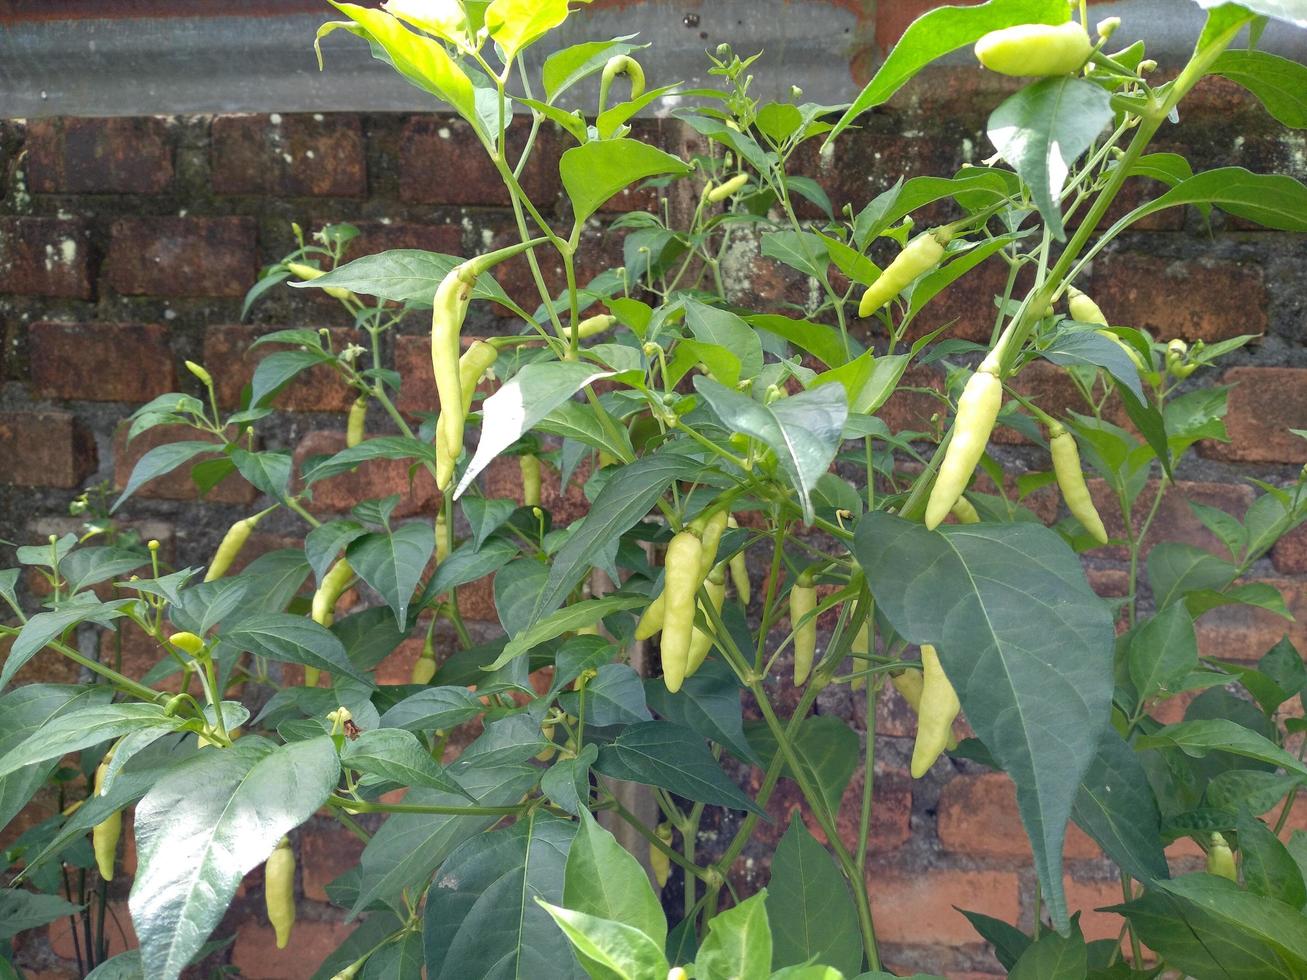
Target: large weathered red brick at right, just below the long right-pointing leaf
[1195, 300]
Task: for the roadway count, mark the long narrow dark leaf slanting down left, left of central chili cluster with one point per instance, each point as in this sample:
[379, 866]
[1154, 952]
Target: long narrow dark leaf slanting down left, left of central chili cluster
[625, 500]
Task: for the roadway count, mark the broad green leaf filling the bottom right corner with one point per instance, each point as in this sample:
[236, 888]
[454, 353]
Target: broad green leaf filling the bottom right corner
[1208, 927]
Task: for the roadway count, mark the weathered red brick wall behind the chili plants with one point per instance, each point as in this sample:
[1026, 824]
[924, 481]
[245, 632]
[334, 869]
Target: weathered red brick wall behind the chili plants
[126, 246]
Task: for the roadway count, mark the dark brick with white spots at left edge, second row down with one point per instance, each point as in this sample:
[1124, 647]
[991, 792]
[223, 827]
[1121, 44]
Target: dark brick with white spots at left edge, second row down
[45, 258]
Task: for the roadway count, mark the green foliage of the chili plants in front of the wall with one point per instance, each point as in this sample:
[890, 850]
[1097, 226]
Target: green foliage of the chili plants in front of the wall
[678, 408]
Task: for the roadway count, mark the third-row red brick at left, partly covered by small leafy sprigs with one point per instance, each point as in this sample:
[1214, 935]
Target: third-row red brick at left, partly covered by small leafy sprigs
[317, 390]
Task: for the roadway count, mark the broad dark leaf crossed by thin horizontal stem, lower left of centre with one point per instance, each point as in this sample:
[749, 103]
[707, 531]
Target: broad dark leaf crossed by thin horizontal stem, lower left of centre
[410, 846]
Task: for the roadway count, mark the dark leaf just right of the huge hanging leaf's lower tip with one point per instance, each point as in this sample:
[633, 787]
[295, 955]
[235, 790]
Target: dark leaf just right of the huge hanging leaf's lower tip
[1117, 808]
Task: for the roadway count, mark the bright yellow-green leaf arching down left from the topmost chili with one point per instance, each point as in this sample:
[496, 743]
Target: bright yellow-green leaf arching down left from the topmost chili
[935, 35]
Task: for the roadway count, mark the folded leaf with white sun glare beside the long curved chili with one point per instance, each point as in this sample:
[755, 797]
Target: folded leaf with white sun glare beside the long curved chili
[522, 402]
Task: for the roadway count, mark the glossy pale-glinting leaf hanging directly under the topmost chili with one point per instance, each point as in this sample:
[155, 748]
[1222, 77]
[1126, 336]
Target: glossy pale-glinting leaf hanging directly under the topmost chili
[1042, 130]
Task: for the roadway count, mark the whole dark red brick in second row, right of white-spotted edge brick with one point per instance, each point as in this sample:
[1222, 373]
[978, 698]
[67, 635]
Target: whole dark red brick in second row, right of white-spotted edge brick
[173, 257]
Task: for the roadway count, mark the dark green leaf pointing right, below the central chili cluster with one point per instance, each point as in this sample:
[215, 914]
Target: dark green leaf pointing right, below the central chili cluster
[667, 756]
